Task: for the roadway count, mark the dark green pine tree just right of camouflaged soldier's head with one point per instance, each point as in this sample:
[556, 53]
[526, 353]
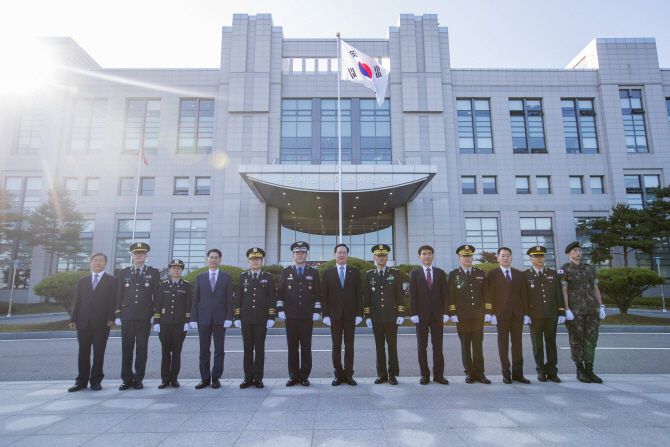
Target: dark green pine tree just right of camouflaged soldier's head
[628, 228]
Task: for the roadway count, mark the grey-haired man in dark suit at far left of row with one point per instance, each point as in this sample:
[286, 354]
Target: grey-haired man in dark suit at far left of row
[92, 316]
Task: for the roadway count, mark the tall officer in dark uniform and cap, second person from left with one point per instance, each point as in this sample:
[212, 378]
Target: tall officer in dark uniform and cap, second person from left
[138, 290]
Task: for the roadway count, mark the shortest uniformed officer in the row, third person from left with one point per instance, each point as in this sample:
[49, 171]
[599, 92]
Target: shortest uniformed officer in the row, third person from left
[173, 314]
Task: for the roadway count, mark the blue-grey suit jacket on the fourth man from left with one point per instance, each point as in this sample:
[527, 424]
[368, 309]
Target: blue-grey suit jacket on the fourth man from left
[212, 307]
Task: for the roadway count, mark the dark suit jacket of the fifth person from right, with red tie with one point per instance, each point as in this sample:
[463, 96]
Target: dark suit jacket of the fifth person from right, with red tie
[428, 304]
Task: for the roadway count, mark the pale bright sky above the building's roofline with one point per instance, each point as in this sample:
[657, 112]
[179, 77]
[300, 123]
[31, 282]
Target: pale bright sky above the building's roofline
[482, 33]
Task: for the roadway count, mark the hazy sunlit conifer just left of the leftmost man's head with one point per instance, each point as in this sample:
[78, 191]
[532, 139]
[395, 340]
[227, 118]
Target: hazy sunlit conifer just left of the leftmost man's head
[54, 225]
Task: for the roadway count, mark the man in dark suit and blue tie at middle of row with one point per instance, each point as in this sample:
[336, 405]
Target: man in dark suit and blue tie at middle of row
[342, 307]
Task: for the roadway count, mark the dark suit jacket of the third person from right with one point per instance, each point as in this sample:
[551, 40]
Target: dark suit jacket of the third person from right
[506, 300]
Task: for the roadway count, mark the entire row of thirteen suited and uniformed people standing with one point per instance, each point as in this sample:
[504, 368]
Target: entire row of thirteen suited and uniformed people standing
[506, 297]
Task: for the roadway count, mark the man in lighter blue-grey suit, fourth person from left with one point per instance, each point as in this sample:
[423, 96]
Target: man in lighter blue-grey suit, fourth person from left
[211, 314]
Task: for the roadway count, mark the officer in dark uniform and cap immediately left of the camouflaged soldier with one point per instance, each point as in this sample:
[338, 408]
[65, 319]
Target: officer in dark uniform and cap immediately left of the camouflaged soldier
[545, 304]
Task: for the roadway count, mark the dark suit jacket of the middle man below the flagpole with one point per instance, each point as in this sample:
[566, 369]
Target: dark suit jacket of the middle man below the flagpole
[339, 302]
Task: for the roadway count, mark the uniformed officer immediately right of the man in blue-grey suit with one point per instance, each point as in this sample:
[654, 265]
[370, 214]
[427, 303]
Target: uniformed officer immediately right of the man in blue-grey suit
[255, 309]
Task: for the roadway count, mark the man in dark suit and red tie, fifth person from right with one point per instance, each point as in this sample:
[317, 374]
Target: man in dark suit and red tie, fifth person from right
[429, 304]
